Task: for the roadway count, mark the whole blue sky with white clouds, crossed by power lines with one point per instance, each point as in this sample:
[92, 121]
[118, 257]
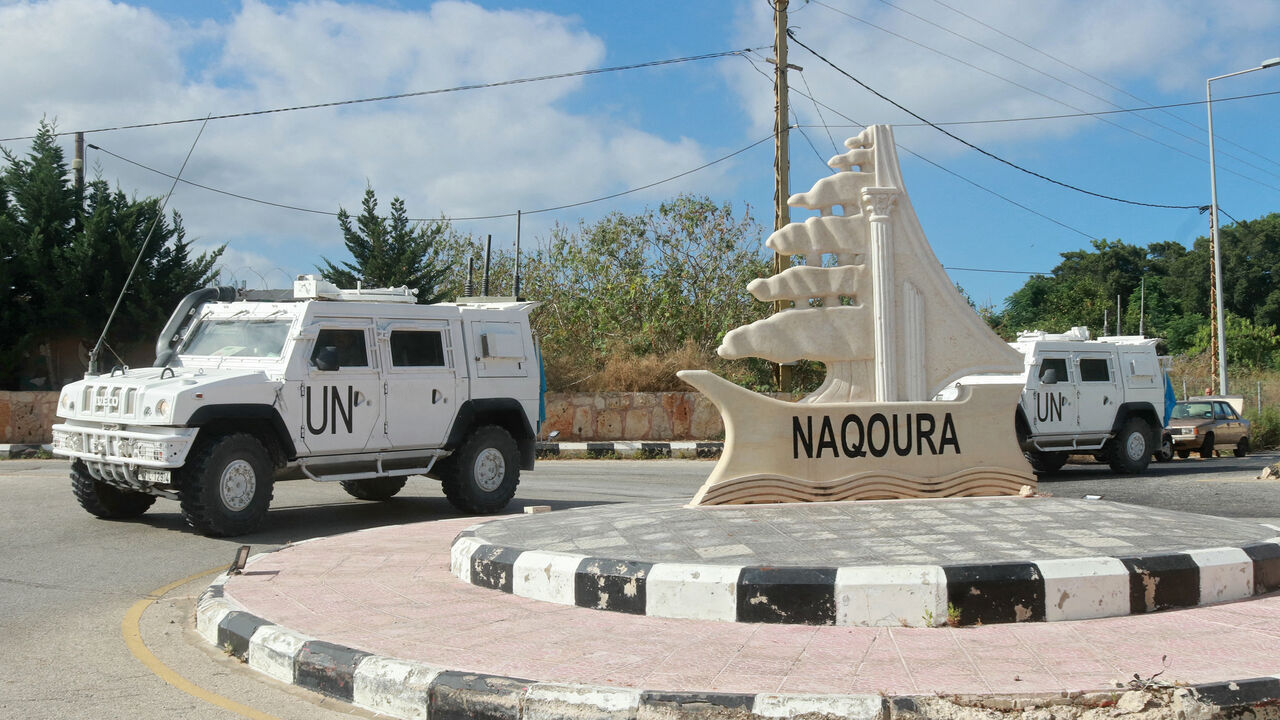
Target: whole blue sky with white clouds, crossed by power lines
[93, 65]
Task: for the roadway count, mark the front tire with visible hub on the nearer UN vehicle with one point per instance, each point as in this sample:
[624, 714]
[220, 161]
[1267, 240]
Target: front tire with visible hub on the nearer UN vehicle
[227, 487]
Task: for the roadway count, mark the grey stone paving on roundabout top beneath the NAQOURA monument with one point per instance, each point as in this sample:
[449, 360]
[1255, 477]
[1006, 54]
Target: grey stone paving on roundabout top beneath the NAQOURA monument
[957, 531]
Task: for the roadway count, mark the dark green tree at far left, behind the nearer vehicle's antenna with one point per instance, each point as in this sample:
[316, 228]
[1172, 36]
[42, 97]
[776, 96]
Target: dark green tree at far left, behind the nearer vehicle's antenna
[66, 262]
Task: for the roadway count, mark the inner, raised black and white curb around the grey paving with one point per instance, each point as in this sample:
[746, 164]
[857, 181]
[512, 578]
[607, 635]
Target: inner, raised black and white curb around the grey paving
[885, 595]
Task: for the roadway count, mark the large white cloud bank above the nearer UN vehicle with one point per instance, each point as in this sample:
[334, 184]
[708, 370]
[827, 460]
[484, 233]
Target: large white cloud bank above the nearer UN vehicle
[474, 153]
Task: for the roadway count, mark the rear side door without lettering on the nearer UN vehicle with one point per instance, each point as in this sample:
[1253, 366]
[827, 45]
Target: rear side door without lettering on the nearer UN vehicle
[419, 382]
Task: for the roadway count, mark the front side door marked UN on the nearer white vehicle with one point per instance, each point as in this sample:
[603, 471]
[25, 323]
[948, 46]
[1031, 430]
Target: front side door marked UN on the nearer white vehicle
[341, 404]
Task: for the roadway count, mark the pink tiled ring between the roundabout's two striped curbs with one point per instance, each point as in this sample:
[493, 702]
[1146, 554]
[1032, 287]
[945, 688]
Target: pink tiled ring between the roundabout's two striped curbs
[408, 605]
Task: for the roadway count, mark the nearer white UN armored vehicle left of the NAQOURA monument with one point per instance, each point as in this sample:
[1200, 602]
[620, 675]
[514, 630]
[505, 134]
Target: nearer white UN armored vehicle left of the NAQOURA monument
[364, 388]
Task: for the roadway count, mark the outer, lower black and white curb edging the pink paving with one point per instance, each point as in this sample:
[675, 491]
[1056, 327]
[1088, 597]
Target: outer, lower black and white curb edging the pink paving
[417, 691]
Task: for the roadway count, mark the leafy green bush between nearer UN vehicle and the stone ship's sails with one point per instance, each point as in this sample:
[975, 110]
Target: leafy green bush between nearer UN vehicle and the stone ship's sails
[661, 285]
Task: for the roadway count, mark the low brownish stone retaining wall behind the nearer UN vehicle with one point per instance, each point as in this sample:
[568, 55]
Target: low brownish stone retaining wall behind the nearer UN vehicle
[580, 417]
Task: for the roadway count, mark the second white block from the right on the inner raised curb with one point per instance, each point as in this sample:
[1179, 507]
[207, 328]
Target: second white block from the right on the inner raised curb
[1078, 589]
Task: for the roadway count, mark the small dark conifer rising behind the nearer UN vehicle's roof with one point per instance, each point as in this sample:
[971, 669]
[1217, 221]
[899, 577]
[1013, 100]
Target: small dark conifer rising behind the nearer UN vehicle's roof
[390, 252]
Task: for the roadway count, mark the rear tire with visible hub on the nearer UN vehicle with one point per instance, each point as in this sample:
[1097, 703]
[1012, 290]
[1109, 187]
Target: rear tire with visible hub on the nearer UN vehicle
[483, 475]
